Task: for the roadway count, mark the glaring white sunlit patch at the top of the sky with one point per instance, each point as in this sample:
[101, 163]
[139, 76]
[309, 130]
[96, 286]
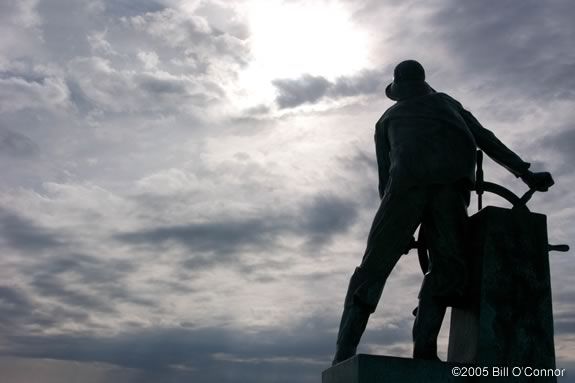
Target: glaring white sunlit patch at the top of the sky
[291, 39]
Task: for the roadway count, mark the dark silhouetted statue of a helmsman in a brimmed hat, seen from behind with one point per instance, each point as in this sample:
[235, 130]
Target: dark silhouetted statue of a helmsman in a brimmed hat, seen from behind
[426, 154]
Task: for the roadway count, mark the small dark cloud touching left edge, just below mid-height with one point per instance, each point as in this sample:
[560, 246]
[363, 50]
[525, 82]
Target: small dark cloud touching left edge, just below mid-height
[22, 233]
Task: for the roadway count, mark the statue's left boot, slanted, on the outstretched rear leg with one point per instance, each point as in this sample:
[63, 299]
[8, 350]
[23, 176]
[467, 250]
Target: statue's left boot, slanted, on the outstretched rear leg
[353, 320]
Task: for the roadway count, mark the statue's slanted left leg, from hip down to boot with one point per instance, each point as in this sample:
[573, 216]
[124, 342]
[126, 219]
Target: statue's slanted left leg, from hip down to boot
[397, 218]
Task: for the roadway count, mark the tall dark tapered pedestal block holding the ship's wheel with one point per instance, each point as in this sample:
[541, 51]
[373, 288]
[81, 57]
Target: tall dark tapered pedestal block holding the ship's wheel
[509, 321]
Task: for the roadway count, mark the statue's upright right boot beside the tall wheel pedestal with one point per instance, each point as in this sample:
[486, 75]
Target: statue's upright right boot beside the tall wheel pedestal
[426, 328]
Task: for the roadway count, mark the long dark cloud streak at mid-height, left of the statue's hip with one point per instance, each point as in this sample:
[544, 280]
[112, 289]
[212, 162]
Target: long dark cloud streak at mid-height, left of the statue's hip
[219, 242]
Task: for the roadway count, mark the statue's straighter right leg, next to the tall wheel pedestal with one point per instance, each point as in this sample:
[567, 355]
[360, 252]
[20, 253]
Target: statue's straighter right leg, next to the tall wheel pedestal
[444, 222]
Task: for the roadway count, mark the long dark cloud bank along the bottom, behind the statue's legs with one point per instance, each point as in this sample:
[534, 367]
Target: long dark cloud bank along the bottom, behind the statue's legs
[210, 354]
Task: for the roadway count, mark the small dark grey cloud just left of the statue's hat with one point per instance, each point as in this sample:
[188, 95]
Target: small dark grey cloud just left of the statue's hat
[311, 89]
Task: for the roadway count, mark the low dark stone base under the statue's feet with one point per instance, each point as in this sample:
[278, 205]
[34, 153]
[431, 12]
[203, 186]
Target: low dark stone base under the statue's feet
[387, 369]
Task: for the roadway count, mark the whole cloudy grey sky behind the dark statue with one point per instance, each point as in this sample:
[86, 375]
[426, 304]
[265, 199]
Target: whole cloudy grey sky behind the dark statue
[187, 186]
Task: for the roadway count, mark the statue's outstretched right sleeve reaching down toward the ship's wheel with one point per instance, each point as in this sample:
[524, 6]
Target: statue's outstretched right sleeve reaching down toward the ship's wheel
[494, 148]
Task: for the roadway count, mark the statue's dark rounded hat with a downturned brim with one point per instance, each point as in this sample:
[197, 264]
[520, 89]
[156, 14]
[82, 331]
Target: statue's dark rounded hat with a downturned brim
[408, 81]
